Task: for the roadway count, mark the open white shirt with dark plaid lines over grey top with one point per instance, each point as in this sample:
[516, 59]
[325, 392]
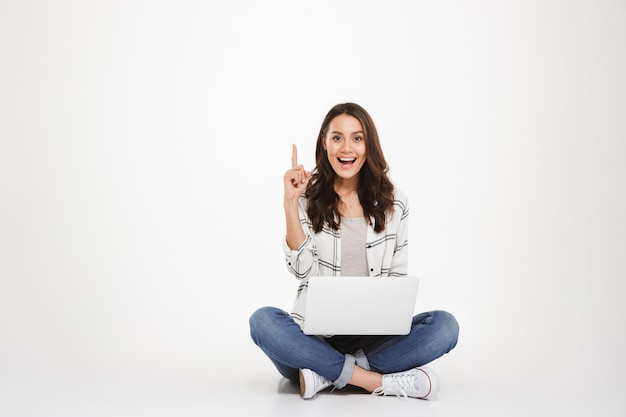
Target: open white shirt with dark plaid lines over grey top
[320, 253]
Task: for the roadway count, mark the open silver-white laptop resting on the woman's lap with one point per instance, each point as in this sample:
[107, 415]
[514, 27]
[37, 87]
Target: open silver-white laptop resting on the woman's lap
[360, 305]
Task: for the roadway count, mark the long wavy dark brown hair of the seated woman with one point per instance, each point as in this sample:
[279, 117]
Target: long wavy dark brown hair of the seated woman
[374, 188]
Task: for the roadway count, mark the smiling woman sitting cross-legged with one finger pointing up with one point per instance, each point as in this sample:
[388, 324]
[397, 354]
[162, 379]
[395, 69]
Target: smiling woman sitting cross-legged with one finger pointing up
[346, 218]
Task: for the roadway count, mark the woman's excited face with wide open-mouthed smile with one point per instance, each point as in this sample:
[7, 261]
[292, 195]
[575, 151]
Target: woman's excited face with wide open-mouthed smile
[345, 145]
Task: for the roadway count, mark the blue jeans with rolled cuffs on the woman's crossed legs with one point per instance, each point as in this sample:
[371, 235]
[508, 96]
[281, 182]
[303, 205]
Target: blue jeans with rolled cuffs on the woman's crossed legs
[432, 335]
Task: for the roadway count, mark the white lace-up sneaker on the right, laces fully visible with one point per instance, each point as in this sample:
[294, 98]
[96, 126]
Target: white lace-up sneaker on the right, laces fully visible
[417, 383]
